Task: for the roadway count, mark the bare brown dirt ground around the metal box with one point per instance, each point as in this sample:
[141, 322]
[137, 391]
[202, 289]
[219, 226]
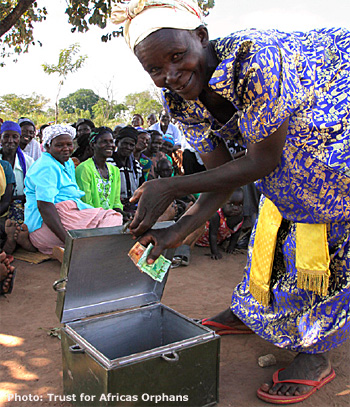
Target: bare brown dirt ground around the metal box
[30, 358]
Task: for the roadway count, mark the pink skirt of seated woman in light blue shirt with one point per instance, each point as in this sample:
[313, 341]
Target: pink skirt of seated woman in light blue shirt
[73, 218]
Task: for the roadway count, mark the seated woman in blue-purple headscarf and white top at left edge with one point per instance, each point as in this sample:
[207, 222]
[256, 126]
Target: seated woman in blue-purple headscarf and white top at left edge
[20, 162]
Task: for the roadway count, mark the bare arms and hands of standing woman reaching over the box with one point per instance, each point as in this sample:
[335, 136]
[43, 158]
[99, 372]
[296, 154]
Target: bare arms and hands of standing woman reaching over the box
[217, 183]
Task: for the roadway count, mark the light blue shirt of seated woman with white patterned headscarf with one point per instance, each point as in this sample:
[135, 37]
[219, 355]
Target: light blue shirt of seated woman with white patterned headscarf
[50, 181]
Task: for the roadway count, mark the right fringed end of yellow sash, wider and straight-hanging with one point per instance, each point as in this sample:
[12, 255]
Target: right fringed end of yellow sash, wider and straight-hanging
[312, 258]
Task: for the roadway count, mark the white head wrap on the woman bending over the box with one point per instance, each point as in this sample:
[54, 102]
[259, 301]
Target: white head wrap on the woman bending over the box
[143, 17]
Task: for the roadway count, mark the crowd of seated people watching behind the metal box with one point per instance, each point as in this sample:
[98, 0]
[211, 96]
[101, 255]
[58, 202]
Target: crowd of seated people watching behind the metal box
[79, 176]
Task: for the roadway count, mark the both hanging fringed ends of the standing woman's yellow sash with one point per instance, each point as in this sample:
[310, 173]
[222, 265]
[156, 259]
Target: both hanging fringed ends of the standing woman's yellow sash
[312, 255]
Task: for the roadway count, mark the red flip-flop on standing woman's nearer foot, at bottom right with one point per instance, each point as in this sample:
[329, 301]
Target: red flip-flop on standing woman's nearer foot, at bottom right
[280, 399]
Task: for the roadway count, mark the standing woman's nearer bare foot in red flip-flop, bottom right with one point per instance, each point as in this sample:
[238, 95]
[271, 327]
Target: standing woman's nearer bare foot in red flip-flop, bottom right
[304, 366]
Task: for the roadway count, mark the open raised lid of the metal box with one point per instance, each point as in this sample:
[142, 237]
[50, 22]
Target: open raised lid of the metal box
[97, 275]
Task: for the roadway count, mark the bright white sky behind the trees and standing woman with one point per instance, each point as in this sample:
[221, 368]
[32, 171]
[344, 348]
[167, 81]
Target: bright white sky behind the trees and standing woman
[112, 67]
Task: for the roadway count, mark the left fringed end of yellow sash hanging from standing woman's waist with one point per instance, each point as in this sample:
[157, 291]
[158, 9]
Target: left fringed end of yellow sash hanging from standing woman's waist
[263, 252]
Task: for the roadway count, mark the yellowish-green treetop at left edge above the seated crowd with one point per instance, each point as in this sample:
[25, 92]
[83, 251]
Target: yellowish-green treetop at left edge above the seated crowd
[14, 106]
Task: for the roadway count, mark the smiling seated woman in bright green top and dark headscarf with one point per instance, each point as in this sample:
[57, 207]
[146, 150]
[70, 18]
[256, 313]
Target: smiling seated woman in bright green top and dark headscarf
[98, 179]
